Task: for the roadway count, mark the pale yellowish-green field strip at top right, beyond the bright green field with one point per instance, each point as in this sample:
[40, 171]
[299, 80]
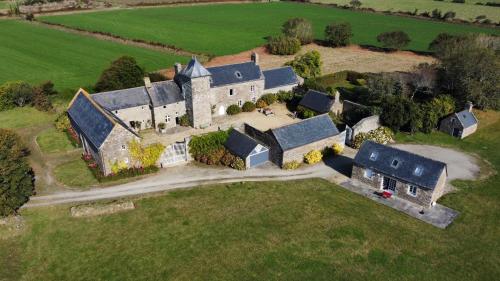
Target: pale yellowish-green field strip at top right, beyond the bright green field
[466, 11]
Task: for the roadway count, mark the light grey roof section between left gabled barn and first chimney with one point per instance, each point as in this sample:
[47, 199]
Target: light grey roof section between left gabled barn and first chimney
[120, 99]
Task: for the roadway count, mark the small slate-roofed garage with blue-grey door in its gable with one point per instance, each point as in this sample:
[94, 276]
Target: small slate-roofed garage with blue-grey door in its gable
[247, 148]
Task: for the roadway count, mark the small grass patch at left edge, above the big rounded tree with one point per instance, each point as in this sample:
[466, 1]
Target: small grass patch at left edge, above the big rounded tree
[24, 117]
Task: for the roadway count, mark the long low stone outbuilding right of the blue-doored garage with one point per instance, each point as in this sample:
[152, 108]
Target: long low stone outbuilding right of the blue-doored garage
[290, 143]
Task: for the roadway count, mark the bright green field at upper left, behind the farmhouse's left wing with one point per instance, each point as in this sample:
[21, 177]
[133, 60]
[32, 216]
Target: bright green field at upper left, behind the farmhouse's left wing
[35, 54]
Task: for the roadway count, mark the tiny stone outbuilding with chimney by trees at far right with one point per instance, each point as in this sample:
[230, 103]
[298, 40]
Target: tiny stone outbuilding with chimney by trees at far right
[460, 124]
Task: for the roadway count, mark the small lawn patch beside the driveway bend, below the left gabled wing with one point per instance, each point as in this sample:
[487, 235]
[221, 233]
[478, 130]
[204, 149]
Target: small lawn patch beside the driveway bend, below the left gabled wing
[75, 174]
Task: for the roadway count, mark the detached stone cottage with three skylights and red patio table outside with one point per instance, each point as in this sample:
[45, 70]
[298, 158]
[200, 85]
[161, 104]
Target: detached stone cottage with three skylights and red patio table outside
[408, 176]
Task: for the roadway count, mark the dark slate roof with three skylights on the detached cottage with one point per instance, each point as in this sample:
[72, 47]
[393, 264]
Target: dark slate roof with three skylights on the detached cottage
[405, 170]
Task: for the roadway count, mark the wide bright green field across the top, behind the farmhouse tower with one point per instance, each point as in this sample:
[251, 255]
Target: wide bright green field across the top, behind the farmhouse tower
[232, 28]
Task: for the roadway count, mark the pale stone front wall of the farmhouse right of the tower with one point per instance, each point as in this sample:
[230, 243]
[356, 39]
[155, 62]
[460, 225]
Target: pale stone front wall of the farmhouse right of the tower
[221, 100]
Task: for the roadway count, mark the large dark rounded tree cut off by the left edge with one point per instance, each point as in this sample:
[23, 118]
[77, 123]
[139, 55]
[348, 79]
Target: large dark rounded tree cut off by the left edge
[17, 178]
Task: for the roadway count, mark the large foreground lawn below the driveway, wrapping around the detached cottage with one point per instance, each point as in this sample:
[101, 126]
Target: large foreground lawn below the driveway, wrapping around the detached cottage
[301, 230]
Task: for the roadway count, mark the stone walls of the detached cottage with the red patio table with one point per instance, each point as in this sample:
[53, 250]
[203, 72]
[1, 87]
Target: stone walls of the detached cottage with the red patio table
[424, 197]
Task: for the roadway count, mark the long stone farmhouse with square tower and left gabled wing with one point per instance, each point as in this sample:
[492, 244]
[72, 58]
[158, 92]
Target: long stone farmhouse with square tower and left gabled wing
[106, 122]
